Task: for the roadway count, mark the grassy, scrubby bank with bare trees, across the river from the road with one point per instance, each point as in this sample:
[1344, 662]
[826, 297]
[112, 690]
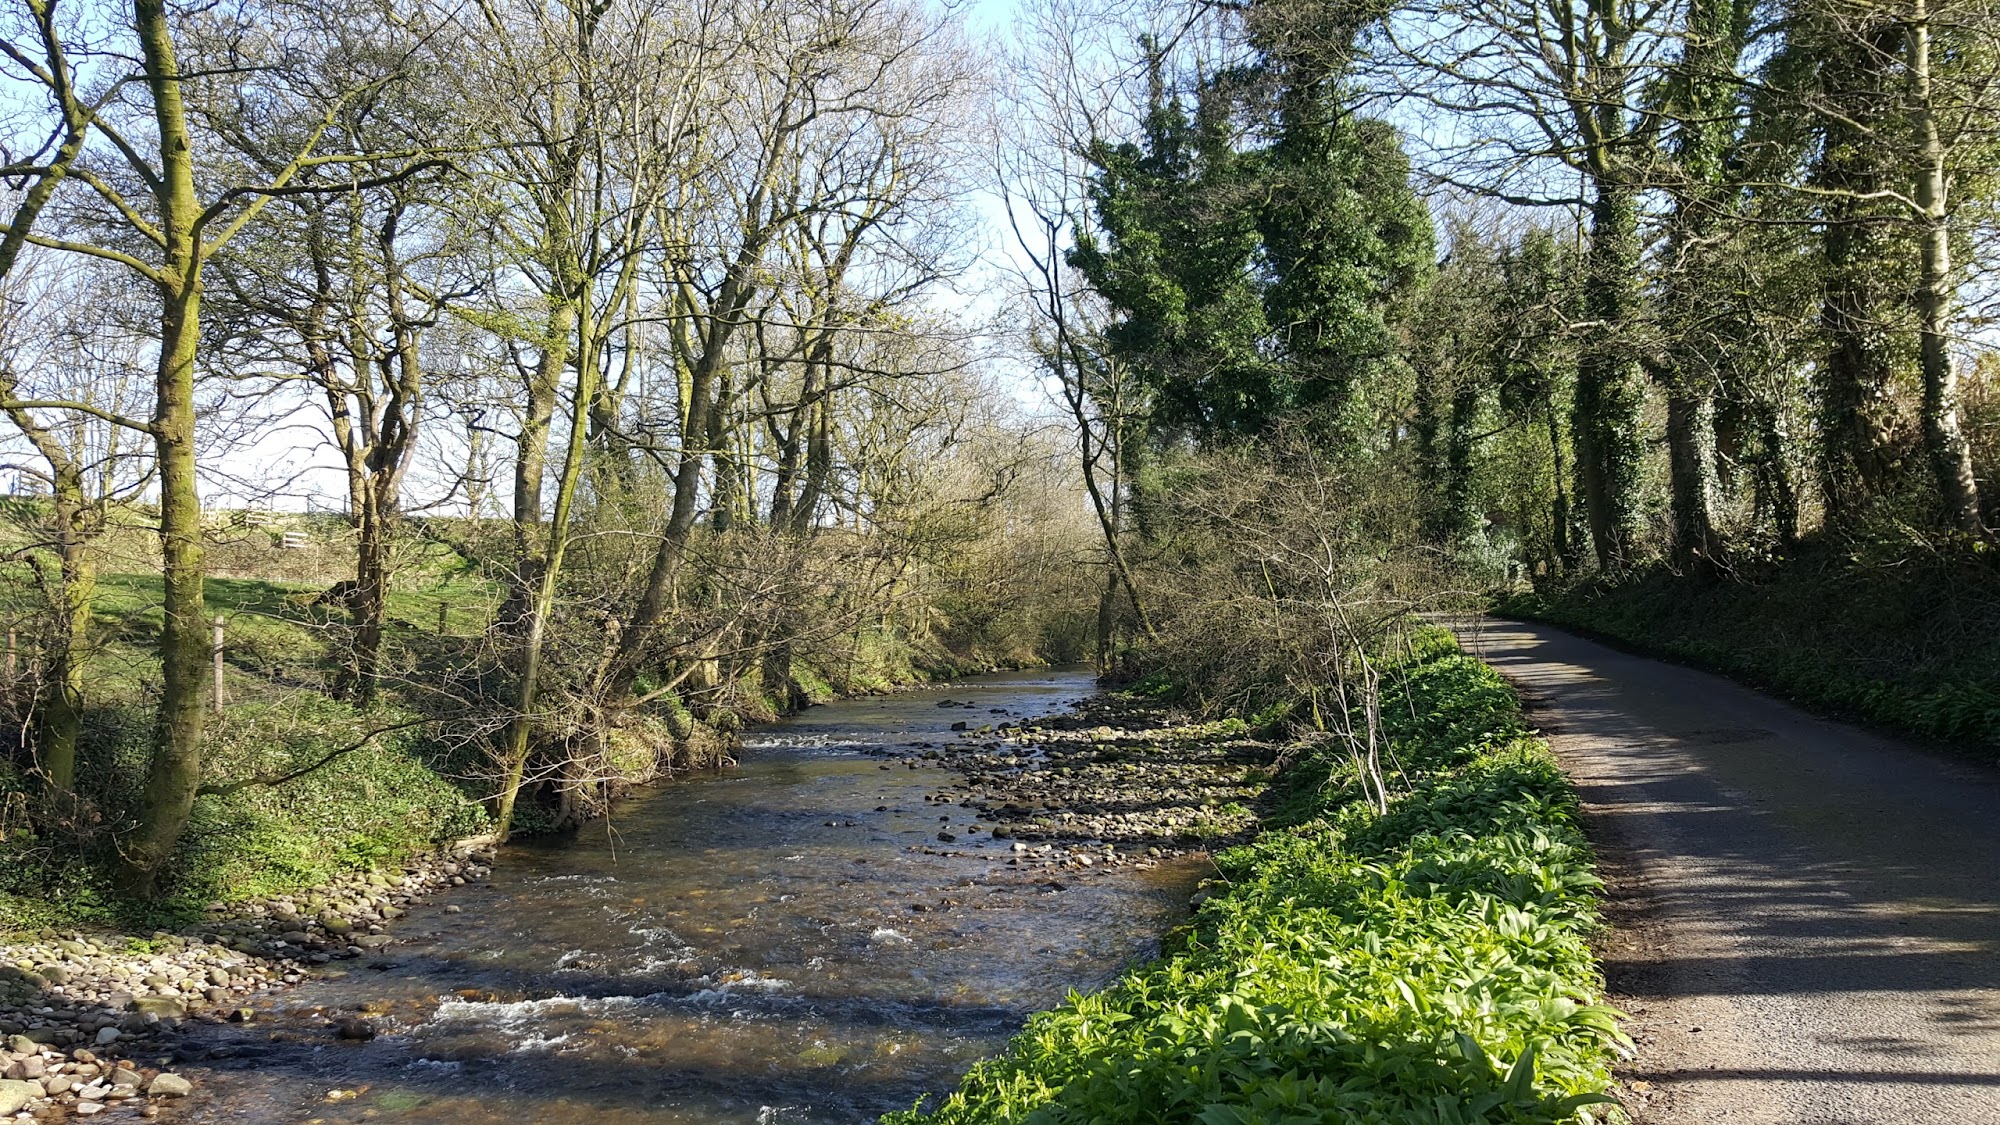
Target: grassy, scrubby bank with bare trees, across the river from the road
[301, 788]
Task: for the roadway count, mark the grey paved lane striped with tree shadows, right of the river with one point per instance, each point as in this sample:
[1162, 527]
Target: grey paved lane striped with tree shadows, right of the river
[1805, 916]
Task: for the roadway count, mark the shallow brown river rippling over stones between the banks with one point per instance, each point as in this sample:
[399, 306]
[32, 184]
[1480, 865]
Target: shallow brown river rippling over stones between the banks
[787, 942]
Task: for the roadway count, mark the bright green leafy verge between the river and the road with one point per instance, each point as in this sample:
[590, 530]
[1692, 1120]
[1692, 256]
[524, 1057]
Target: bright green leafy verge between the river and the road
[1427, 966]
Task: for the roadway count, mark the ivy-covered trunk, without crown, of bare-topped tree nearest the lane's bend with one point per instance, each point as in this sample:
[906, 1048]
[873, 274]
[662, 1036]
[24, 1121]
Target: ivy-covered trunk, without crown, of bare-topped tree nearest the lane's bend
[1609, 393]
